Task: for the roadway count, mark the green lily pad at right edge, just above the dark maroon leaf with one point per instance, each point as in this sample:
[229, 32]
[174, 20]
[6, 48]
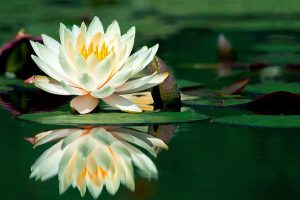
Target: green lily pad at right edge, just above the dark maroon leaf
[273, 86]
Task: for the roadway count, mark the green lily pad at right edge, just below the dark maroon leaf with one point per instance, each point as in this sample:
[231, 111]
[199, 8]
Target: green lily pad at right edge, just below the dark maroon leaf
[263, 121]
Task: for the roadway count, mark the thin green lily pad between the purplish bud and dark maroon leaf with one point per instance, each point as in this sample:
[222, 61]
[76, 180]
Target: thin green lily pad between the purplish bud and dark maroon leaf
[217, 102]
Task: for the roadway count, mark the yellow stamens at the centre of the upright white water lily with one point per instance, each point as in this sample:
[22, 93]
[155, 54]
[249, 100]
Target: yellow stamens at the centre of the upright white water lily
[100, 53]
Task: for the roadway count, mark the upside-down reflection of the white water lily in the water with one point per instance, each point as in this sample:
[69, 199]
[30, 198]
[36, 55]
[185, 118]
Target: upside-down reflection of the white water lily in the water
[95, 157]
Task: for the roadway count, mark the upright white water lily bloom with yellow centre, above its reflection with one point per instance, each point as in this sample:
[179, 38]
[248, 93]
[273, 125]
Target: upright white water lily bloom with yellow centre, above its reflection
[93, 65]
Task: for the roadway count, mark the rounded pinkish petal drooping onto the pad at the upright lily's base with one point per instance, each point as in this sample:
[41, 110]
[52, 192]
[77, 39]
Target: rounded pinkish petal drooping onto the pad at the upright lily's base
[84, 104]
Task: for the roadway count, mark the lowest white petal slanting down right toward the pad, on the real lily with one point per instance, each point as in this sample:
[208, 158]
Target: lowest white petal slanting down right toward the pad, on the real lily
[121, 103]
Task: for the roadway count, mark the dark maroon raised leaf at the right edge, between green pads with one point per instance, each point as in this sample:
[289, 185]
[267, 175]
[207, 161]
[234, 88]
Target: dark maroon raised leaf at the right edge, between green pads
[276, 103]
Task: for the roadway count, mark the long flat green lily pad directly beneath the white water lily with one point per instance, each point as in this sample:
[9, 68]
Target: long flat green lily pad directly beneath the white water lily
[114, 118]
